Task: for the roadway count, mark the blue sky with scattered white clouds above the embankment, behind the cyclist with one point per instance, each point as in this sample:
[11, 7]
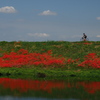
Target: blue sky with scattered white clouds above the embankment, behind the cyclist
[49, 20]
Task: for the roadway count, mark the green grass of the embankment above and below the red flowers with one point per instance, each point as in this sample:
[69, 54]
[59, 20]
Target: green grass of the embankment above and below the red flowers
[64, 49]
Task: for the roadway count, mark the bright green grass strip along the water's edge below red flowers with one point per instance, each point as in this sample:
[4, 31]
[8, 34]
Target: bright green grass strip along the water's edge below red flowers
[58, 74]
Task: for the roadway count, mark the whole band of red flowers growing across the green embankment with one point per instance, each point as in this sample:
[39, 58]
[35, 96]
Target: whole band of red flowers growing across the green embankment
[24, 58]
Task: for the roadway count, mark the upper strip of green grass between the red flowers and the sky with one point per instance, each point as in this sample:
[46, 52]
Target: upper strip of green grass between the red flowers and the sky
[66, 49]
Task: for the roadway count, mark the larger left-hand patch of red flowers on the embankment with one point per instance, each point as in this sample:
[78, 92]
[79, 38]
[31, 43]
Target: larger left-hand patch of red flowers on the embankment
[22, 57]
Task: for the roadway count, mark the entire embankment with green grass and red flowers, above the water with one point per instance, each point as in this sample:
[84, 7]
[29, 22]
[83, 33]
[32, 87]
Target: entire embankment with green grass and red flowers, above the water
[50, 59]
